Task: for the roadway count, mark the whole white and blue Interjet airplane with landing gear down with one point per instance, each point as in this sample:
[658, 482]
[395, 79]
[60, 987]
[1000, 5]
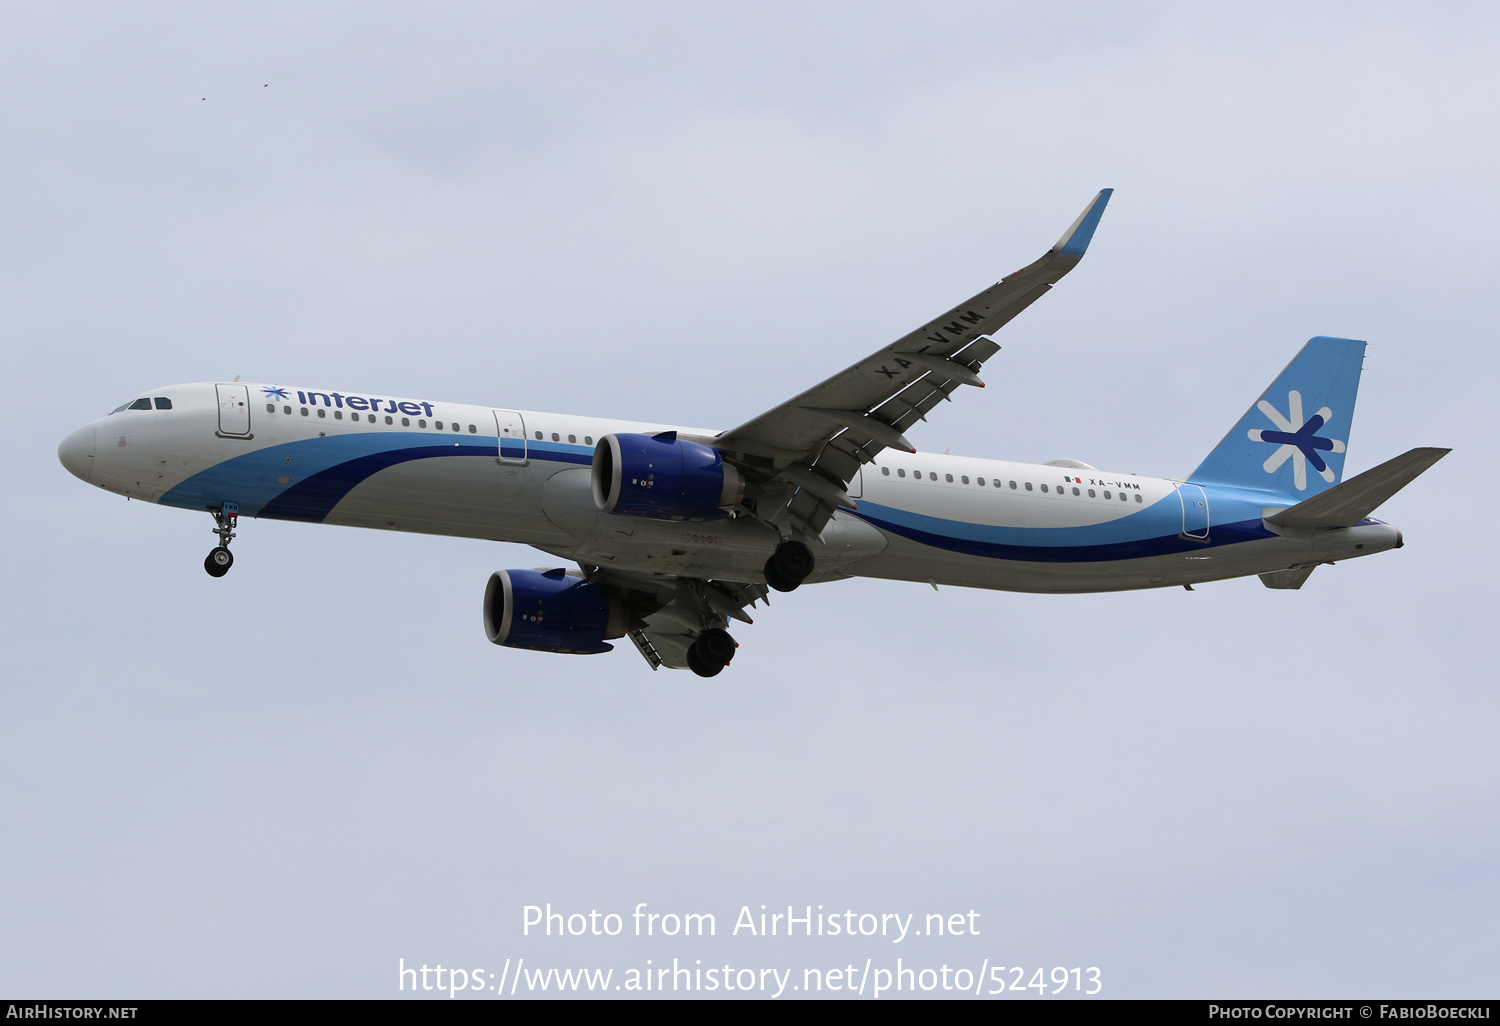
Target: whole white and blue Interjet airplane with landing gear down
[677, 532]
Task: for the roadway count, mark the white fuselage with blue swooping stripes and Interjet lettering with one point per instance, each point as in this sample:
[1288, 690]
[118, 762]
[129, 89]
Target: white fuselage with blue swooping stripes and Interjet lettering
[524, 476]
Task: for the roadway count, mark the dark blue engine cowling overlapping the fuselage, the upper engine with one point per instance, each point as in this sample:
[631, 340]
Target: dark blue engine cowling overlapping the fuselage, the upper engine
[665, 478]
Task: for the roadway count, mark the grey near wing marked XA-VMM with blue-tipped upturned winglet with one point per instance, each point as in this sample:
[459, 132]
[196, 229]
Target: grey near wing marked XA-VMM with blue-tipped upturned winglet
[815, 445]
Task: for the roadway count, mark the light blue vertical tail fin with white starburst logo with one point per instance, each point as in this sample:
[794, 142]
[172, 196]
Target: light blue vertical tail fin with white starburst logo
[1294, 439]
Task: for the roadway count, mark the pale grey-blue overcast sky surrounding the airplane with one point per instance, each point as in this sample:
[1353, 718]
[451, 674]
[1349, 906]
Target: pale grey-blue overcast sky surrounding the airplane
[283, 782]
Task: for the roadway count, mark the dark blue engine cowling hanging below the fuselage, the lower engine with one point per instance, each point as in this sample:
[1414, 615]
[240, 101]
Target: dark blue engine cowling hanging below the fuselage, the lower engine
[551, 611]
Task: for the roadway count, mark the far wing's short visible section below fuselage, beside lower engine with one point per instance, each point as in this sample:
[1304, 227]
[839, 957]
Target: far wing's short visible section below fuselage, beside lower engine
[670, 611]
